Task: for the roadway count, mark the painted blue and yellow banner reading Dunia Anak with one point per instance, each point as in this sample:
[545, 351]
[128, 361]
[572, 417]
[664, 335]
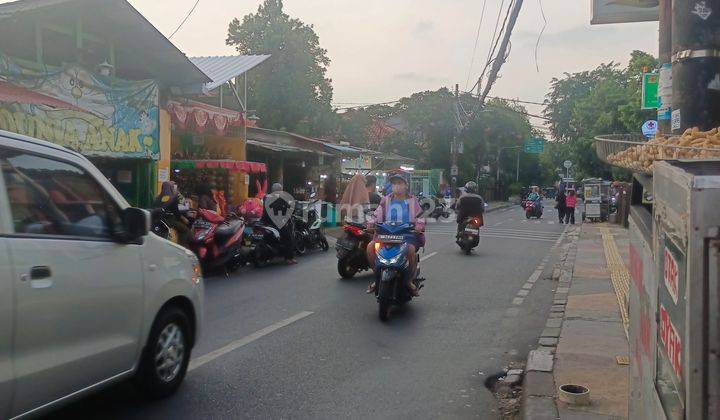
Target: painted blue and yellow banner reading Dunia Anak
[83, 111]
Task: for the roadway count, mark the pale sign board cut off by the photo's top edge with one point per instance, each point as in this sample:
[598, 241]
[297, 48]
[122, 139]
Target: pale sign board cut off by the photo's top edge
[624, 11]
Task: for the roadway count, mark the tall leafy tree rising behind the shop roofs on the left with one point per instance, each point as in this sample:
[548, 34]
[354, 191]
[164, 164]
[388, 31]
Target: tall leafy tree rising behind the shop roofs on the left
[291, 91]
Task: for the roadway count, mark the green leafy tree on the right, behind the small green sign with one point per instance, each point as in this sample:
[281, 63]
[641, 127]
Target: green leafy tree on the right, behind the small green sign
[583, 105]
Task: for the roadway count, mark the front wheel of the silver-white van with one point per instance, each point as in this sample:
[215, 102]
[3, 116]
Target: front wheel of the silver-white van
[166, 355]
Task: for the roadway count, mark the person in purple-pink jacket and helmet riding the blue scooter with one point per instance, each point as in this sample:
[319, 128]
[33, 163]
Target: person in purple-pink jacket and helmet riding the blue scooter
[399, 206]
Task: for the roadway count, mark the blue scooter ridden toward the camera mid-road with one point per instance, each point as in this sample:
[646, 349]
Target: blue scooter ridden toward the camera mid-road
[391, 267]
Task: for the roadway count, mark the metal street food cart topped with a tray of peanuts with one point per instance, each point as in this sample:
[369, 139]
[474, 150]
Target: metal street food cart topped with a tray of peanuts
[674, 296]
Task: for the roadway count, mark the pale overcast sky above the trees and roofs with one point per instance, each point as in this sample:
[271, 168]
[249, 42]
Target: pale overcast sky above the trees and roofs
[385, 49]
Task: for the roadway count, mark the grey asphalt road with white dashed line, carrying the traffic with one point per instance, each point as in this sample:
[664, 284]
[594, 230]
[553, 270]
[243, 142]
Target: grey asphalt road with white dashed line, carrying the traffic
[298, 342]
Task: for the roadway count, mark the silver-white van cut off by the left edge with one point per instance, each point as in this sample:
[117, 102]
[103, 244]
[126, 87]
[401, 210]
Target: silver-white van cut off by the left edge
[87, 296]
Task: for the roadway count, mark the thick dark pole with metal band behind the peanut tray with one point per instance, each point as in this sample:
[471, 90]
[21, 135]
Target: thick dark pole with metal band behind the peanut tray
[695, 64]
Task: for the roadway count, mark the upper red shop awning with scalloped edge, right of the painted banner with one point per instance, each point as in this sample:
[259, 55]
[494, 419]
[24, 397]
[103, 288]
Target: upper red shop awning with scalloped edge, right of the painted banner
[199, 116]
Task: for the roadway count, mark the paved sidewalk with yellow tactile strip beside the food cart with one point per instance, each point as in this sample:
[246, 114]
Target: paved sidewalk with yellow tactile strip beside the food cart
[591, 343]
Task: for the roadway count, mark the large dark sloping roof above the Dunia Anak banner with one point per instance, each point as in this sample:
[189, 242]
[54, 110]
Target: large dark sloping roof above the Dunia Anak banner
[140, 50]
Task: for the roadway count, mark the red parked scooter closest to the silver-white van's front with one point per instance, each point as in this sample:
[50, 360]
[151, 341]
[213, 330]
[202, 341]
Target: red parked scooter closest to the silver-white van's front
[217, 241]
